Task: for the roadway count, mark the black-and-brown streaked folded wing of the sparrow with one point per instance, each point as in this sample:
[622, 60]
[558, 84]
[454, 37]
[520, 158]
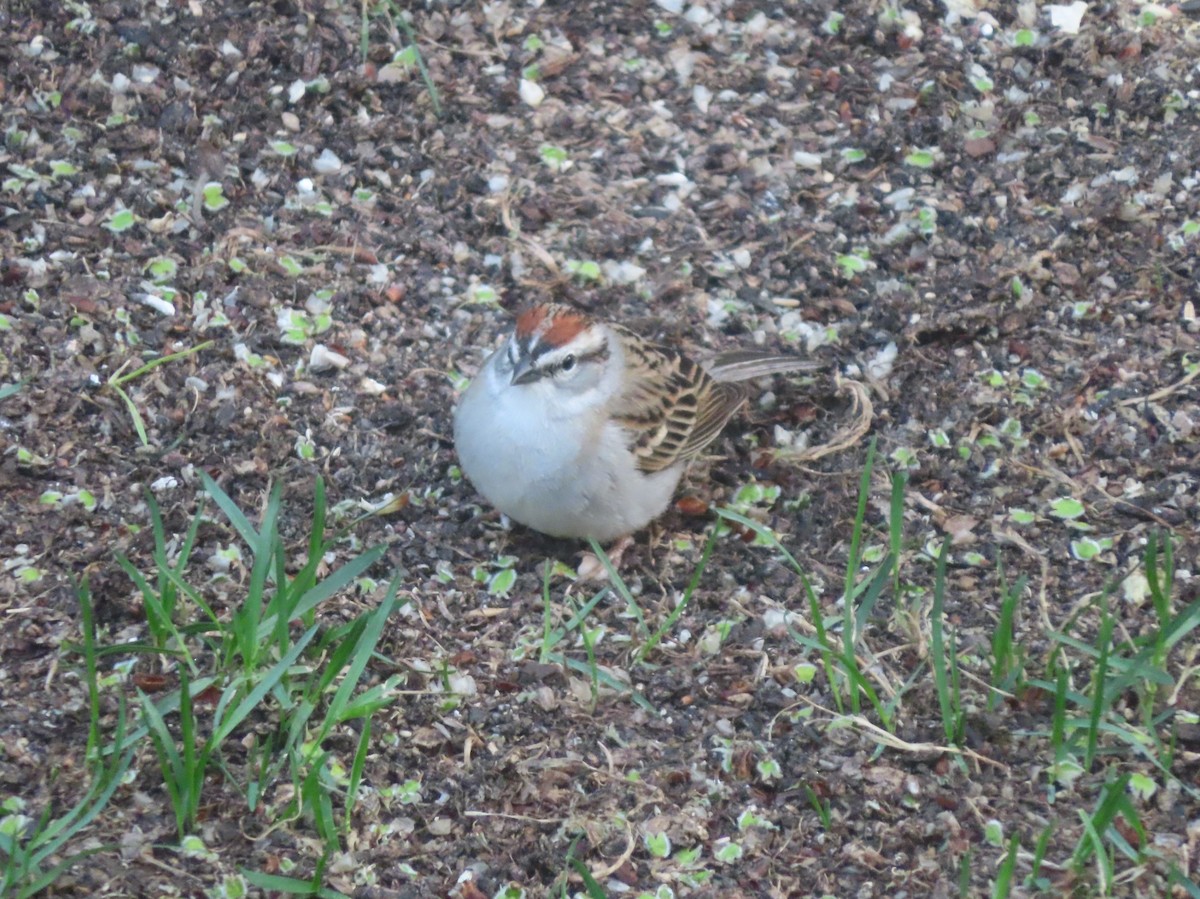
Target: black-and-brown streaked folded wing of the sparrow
[673, 406]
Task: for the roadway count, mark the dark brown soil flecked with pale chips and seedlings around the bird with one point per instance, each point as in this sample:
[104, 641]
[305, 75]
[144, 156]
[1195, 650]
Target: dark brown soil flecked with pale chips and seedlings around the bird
[998, 241]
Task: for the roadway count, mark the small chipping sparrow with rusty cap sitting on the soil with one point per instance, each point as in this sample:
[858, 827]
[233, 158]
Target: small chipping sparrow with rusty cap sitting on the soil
[579, 428]
